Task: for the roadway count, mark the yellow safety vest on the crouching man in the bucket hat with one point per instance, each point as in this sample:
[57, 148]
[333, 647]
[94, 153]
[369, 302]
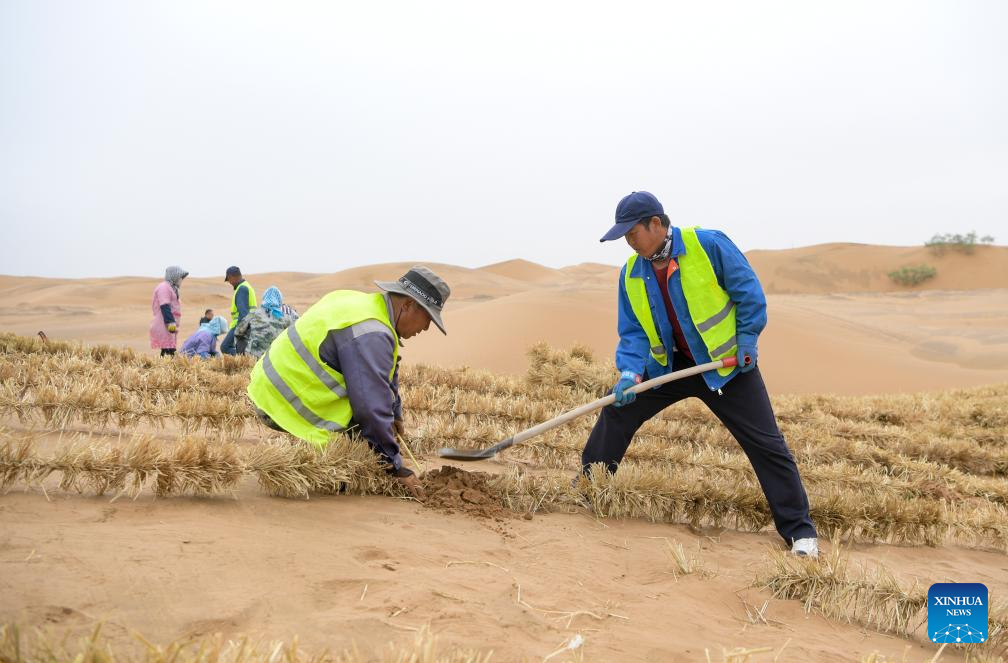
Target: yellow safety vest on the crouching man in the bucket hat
[292, 384]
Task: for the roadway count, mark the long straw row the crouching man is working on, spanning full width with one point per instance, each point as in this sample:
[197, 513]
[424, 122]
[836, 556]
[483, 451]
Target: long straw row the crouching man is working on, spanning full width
[699, 496]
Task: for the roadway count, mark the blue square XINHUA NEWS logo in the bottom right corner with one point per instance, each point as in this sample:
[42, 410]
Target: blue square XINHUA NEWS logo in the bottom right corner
[957, 612]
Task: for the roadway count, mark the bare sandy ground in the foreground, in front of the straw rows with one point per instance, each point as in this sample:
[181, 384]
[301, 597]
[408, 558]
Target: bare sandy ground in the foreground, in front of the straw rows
[347, 570]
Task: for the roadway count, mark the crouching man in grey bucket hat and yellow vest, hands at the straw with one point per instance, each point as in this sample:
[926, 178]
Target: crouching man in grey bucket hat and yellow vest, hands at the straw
[337, 367]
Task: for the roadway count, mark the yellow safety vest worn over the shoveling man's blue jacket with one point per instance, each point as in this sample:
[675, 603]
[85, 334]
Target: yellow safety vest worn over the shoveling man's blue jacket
[711, 310]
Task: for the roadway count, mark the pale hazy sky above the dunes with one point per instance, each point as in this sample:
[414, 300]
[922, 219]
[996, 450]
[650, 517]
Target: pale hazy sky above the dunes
[316, 137]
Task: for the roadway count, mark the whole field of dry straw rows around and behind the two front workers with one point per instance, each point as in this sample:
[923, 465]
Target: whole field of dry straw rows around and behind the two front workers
[890, 469]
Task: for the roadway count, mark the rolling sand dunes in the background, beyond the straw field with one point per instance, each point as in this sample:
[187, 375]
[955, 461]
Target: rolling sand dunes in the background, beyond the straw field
[845, 328]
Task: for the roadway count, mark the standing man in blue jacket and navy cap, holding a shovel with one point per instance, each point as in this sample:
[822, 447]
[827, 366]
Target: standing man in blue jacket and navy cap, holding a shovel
[689, 297]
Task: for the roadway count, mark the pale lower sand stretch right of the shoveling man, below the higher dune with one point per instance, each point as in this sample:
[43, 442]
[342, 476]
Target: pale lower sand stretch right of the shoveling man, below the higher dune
[887, 343]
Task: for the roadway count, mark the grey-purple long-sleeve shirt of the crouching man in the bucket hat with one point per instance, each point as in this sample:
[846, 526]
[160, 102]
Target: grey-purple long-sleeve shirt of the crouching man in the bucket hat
[363, 354]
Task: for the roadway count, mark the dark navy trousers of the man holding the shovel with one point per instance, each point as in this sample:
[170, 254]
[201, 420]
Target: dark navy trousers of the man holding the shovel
[744, 408]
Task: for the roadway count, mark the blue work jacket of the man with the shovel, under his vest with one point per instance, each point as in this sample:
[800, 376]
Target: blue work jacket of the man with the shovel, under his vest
[734, 275]
